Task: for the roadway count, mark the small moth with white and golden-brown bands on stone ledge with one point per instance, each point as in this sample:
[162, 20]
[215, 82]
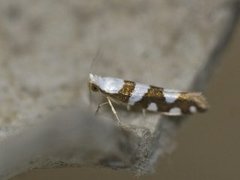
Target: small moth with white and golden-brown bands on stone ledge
[146, 97]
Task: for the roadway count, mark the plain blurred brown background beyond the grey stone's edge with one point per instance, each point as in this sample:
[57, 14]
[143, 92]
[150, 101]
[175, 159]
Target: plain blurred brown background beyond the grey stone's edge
[207, 146]
